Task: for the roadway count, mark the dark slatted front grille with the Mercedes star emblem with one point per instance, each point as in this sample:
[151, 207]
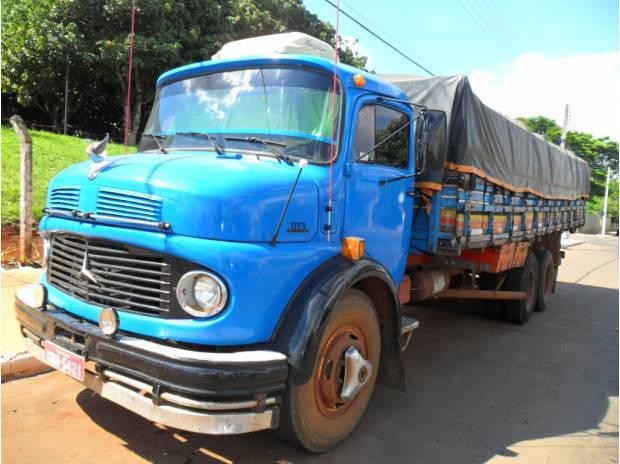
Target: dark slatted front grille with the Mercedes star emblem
[123, 277]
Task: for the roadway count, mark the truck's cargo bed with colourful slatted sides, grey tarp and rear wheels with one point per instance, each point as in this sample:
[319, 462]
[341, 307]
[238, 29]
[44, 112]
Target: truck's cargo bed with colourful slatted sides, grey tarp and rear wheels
[491, 195]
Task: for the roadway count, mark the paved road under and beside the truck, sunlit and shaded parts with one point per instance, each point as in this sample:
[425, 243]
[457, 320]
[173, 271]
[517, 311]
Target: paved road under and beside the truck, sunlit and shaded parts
[478, 390]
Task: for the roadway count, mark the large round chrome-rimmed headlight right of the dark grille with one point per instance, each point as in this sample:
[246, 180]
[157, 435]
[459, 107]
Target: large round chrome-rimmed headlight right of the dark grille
[202, 294]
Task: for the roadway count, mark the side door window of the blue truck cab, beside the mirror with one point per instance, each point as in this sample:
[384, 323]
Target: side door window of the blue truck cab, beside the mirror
[375, 123]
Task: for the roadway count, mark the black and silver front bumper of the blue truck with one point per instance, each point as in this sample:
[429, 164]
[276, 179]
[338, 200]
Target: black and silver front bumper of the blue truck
[198, 391]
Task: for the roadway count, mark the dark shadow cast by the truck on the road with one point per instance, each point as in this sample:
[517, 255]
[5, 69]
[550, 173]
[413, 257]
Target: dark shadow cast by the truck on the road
[475, 387]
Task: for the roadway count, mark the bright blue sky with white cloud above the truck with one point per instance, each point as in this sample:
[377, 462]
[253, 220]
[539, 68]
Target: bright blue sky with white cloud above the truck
[523, 58]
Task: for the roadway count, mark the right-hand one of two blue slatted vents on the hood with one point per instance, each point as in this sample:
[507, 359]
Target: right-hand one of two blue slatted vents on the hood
[128, 205]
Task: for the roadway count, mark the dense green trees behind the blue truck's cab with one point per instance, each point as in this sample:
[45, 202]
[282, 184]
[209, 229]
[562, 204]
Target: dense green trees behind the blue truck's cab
[95, 35]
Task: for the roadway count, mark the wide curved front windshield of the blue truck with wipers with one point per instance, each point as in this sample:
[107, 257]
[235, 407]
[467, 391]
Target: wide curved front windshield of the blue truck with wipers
[292, 107]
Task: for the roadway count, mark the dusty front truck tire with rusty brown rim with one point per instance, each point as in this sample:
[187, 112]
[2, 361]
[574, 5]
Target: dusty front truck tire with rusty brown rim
[314, 415]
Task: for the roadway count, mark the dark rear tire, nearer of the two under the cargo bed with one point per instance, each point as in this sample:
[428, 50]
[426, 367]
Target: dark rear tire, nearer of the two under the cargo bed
[523, 279]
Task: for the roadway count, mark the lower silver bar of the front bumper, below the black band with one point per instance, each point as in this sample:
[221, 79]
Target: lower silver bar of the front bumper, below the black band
[194, 416]
